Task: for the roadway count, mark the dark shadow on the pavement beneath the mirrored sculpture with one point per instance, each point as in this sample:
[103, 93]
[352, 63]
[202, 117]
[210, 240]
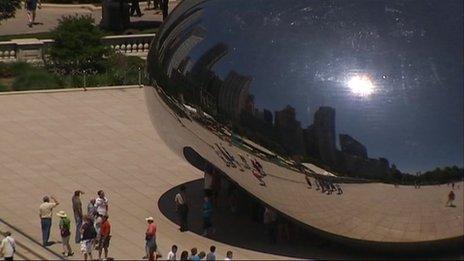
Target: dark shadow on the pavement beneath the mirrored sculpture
[243, 228]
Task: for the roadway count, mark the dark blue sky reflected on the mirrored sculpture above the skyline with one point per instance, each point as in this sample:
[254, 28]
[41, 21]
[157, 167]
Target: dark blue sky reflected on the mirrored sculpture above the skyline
[304, 53]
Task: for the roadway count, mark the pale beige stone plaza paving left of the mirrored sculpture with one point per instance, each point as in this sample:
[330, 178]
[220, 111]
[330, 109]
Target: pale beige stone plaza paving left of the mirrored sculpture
[55, 143]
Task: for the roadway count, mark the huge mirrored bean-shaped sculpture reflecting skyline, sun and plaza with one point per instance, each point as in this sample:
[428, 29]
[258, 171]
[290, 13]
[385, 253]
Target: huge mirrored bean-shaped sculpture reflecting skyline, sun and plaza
[345, 116]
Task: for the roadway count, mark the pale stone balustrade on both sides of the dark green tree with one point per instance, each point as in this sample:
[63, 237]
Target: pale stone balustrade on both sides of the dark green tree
[33, 50]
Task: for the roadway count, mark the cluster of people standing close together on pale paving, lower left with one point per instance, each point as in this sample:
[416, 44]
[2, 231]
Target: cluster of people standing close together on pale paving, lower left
[93, 230]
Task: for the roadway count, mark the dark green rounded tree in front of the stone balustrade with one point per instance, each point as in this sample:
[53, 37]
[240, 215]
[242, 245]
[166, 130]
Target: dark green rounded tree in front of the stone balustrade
[77, 46]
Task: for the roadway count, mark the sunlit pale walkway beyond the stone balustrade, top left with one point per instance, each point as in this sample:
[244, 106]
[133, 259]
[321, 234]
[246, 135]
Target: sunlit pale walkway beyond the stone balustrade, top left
[48, 18]
